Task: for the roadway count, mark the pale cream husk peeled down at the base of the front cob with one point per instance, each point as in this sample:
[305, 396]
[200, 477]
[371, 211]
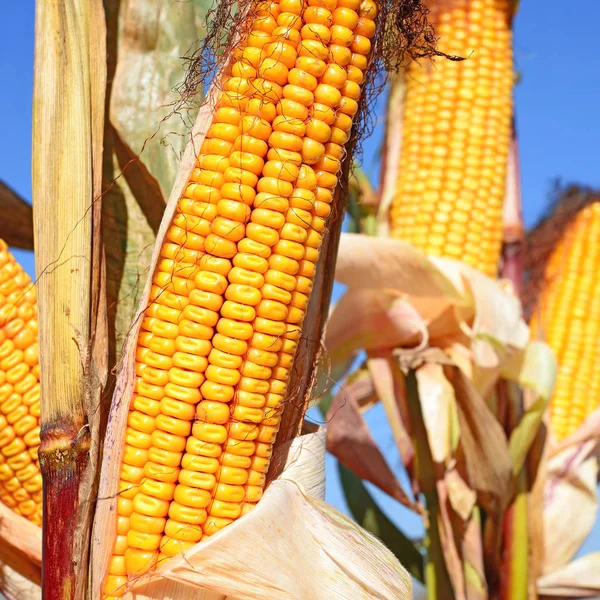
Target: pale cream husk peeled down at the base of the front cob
[301, 548]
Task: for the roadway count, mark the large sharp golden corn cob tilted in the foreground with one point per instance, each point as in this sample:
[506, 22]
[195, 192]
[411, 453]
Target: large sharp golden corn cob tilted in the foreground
[231, 289]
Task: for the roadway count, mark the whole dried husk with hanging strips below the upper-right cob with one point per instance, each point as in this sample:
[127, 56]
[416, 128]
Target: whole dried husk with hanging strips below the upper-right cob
[461, 331]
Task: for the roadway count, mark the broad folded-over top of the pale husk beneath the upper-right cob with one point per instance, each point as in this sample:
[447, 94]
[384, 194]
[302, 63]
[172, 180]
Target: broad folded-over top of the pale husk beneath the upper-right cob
[397, 296]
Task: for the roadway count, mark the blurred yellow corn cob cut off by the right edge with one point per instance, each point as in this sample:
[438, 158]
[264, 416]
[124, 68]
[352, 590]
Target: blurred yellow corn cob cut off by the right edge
[568, 317]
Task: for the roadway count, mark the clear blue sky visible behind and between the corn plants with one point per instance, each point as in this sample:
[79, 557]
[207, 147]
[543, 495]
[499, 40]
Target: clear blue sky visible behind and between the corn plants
[557, 111]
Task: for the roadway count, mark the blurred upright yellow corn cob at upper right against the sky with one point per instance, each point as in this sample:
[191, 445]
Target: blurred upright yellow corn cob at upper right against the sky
[455, 136]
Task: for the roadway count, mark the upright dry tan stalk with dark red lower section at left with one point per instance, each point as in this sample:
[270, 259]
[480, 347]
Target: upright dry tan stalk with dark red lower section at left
[70, 72]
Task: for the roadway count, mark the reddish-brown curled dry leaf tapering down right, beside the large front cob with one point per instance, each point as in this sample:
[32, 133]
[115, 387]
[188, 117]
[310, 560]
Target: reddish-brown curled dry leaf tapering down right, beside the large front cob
[350, 441]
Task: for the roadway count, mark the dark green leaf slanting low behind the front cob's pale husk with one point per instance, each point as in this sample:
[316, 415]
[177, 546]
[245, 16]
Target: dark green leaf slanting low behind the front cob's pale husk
[368, 515]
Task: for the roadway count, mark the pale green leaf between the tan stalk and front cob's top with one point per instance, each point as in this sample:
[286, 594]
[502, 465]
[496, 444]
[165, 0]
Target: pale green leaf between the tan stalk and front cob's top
[151, 42]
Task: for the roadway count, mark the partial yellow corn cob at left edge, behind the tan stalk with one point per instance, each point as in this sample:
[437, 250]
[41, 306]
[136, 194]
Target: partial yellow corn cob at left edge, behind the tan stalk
[20, 477]
